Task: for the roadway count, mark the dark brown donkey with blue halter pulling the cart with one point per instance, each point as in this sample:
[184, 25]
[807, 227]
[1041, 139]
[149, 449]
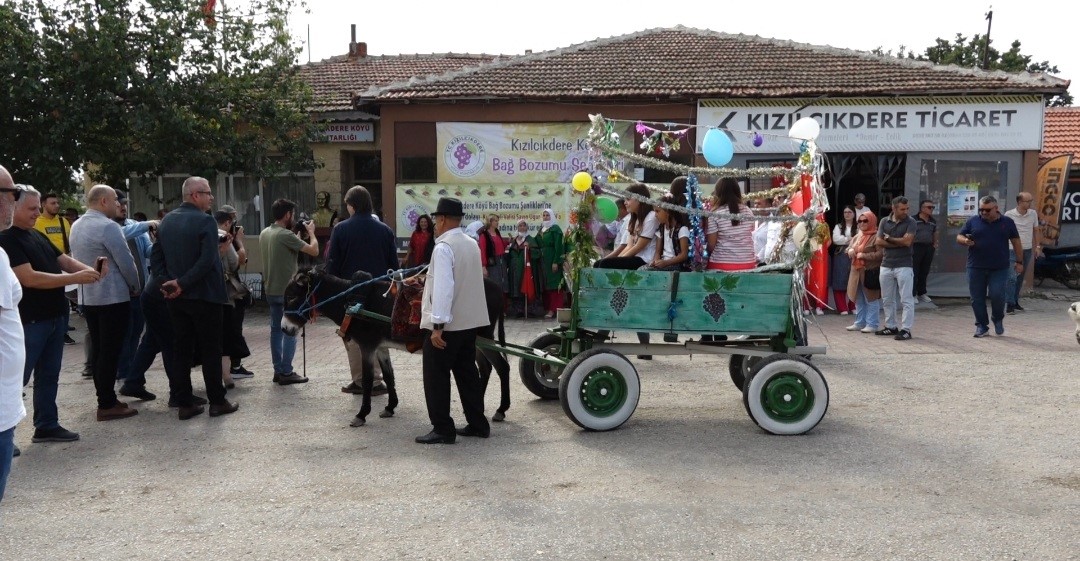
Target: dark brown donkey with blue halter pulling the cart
[313, 287]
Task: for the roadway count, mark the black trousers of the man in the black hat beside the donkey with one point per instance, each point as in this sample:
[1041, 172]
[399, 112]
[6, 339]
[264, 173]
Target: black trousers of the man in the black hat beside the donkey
[460, 357]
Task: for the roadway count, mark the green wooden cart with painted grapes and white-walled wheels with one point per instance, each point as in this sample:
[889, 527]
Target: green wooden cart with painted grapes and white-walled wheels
[598, 384]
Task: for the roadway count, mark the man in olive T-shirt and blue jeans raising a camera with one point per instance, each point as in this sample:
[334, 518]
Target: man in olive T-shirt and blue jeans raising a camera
[281, 247]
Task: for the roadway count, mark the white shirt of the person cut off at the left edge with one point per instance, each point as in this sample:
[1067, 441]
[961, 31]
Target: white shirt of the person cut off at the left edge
[12, 348]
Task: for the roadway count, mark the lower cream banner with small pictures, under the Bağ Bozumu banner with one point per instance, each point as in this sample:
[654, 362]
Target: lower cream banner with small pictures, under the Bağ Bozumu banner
[509, 203]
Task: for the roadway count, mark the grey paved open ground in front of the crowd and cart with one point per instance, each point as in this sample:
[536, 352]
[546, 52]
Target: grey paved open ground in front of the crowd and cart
[943, 447]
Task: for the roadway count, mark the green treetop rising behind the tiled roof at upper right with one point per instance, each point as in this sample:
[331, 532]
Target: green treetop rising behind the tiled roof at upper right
[974, 52]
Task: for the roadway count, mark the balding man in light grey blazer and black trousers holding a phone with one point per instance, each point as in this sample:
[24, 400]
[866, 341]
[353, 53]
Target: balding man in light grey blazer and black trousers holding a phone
[98, 239]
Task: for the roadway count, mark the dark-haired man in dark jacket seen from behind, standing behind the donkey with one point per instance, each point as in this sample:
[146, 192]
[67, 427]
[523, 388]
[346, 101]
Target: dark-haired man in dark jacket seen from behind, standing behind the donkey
[363, 244]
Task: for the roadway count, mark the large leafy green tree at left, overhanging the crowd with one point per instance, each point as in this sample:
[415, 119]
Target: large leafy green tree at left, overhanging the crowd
[148, 87]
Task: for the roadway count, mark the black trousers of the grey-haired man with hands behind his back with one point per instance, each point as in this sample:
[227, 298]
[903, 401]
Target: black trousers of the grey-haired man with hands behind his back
[197, 324]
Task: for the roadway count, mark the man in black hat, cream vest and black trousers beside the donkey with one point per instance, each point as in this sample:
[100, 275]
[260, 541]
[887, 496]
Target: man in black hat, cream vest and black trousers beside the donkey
[454, 308]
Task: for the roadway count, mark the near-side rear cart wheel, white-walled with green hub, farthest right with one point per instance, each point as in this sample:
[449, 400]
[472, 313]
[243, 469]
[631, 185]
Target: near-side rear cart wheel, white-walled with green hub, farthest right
[786, 395]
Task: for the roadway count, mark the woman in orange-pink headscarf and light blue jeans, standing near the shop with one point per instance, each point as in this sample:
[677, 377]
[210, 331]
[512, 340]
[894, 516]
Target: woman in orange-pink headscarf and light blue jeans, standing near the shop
[866, 262]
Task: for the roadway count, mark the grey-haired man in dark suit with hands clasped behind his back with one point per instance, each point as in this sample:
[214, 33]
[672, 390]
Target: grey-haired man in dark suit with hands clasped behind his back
[186, 262]
